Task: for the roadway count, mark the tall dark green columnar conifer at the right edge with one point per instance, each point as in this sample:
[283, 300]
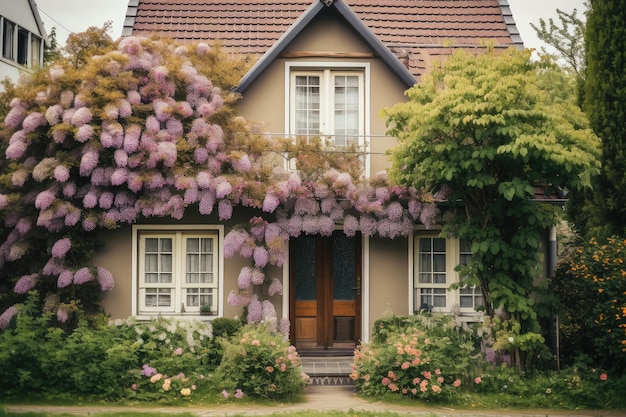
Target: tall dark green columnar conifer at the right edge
[605, 105]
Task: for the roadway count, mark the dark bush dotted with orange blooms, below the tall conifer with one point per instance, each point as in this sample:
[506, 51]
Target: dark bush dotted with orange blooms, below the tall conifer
[589, 285]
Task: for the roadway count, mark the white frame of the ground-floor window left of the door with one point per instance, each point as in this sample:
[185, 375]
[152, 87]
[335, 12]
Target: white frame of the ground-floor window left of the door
[178, 287]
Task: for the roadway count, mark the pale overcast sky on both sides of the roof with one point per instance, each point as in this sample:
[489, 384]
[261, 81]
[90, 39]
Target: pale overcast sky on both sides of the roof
[77, 15]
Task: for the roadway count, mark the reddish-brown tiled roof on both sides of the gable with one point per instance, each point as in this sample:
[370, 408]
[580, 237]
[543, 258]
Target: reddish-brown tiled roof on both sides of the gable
[417, 31]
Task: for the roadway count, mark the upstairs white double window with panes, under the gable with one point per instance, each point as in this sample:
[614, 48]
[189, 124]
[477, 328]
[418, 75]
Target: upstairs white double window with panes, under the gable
[329, 103]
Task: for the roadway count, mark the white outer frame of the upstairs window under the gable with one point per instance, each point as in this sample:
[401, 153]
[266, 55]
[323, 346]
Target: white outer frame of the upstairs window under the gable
[327, 70]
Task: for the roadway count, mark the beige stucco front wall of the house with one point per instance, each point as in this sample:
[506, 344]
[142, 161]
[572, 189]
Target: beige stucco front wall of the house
[264, 101]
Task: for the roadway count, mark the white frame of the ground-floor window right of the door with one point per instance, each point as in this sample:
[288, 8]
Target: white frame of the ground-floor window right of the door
[453, 258]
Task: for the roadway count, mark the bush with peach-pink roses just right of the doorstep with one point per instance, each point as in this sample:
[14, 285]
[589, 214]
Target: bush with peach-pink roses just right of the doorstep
[418, 356]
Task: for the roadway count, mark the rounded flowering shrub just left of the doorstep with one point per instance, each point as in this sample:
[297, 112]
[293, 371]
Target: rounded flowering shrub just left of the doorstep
[260, 363]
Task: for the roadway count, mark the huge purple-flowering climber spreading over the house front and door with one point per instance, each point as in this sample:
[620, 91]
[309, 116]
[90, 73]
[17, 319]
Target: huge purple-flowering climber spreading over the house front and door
[140, 132]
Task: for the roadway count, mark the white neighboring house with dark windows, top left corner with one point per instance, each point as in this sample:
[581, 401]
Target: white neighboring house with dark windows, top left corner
[22, 38]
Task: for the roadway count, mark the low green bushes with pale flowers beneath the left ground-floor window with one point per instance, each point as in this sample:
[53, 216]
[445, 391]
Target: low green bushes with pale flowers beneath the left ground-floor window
[108, 362]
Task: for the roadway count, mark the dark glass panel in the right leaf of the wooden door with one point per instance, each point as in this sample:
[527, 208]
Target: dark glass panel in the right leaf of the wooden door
[343, 267]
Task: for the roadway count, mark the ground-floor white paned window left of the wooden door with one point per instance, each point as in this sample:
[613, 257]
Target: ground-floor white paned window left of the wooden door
[178, 271]
